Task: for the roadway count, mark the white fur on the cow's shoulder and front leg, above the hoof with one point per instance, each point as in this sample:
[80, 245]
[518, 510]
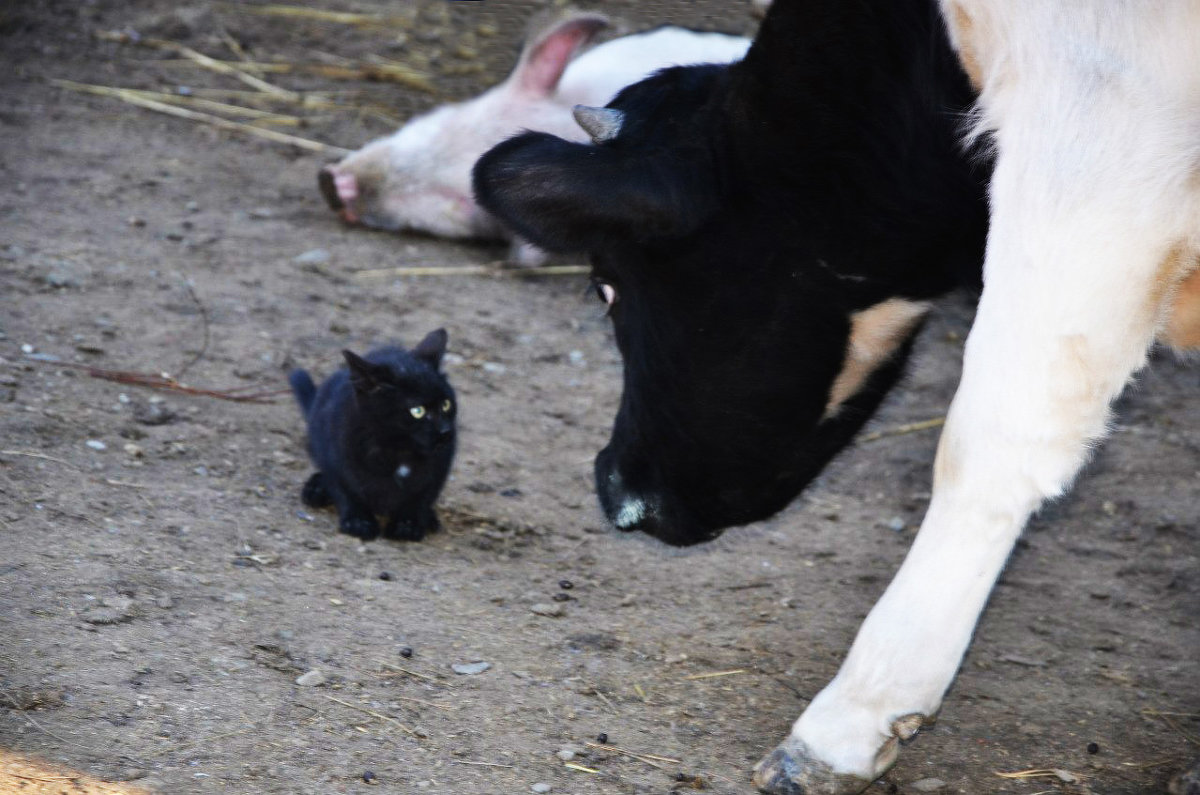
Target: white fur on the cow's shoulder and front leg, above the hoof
[1096, 112]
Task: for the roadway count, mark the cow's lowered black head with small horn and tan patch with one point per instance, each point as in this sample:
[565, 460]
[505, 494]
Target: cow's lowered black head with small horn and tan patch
[764, 296]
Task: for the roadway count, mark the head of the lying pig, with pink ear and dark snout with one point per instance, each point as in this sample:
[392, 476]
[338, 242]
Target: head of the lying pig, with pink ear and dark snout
[419, 178]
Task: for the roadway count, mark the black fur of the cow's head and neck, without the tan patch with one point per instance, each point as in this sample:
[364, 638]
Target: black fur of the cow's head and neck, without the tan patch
[742, 216]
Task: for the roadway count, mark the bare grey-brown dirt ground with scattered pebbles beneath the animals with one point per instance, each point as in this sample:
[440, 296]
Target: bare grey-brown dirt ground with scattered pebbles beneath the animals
[163, 588]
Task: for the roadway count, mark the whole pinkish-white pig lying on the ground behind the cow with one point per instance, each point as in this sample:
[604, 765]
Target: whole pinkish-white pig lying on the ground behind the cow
[419, 178]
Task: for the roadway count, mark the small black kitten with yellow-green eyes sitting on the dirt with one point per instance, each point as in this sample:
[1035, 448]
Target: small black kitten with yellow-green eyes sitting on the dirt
[382, 434]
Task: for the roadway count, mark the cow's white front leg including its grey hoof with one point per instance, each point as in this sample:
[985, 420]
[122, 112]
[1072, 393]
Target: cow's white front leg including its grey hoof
[1077, 278]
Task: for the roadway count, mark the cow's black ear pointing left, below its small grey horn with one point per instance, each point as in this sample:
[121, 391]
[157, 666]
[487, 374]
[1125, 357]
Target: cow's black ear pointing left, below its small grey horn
[565, 196]
